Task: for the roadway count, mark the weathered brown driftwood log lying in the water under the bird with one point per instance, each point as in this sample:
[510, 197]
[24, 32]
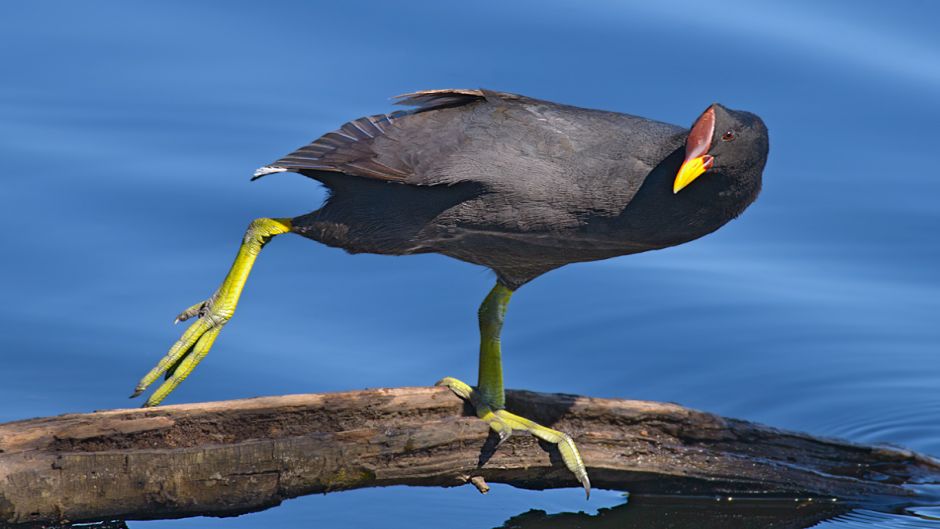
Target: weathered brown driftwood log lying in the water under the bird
[225, 458]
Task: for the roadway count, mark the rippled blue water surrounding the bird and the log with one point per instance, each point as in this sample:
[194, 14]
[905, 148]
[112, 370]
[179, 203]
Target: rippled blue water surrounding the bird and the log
[128, 132]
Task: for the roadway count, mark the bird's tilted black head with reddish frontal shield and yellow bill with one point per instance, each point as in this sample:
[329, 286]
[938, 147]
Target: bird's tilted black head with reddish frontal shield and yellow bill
[723, 140]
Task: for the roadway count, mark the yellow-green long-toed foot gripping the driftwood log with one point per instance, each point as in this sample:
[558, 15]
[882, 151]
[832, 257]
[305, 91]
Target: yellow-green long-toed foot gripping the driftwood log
[504, 423]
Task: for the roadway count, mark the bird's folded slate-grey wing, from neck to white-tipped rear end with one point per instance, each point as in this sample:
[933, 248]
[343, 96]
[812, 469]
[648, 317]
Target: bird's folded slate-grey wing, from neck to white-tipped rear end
[536, 154]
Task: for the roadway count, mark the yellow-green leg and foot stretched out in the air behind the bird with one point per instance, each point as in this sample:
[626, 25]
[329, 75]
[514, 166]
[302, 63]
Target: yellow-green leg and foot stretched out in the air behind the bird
[211, 314]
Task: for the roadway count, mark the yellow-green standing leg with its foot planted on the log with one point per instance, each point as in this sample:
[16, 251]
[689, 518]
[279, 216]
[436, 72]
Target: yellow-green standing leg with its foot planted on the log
[489, 397]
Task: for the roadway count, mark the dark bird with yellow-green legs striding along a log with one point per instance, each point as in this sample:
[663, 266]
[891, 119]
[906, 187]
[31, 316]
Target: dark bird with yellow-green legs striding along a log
[517, 184]
